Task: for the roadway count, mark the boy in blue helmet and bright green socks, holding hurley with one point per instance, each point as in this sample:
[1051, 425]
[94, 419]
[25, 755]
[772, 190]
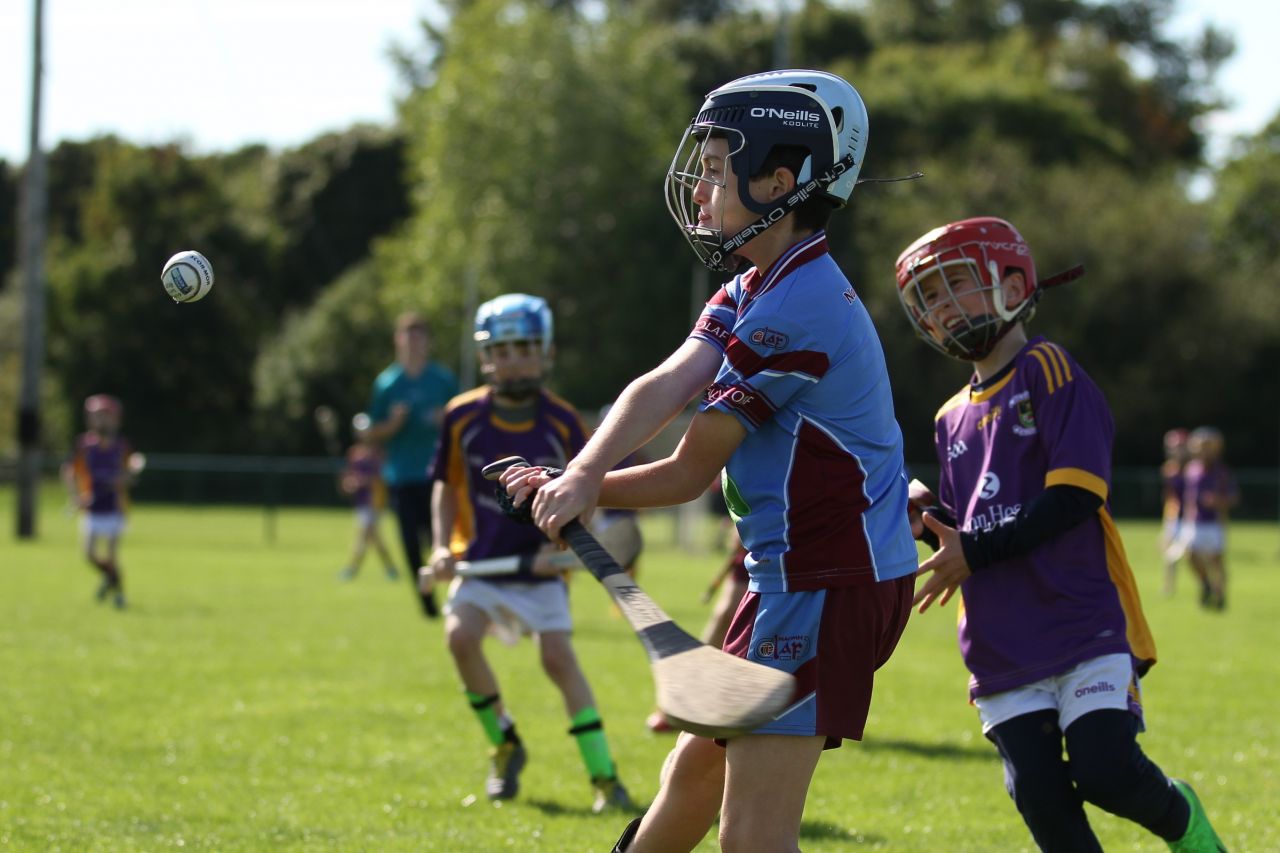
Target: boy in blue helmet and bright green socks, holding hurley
[513, 416]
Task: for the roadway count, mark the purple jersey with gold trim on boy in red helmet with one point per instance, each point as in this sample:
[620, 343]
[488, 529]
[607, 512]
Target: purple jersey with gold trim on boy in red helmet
[1040, 423]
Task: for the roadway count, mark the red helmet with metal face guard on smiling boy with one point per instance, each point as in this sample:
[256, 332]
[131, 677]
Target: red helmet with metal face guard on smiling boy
[962, 262]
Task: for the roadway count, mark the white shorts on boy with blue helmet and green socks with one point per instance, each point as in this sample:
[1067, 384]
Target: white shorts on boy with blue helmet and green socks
[515, 609]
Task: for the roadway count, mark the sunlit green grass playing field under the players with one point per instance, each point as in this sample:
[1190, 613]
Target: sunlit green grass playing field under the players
[249, 701]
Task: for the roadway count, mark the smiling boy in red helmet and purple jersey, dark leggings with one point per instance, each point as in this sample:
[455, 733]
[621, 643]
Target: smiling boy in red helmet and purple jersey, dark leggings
[1052, 628]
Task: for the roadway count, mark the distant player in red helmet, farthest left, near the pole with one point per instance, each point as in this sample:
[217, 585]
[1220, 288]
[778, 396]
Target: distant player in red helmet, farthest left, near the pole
[99, 475]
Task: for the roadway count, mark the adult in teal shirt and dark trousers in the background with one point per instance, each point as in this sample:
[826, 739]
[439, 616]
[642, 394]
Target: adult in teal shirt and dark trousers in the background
[406, 407]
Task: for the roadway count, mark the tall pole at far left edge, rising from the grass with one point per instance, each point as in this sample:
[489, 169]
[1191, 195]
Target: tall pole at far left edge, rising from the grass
[33, 254]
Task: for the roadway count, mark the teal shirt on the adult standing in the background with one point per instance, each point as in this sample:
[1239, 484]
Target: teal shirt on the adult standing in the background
[412, 449]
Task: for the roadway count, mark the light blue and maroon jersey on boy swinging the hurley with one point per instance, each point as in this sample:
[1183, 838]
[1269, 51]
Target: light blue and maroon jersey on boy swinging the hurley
[817, 487]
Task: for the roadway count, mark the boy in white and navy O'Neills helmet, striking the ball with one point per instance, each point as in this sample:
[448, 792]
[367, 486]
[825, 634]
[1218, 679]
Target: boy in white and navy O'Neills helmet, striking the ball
[794, 404]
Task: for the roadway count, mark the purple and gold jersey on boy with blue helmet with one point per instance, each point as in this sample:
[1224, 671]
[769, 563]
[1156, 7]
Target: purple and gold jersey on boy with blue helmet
[473, 436]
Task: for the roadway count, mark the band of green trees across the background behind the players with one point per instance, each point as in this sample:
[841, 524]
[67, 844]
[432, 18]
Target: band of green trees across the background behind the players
[531, 153]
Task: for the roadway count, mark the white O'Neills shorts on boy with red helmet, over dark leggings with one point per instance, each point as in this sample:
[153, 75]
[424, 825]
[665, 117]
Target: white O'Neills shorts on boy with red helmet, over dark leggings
[1101, 683]
